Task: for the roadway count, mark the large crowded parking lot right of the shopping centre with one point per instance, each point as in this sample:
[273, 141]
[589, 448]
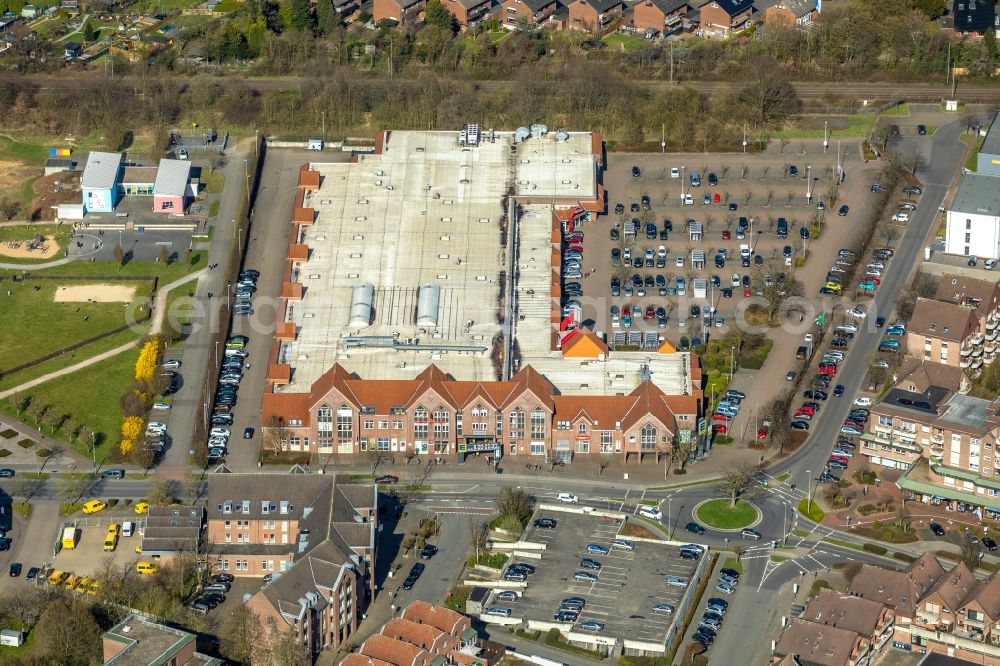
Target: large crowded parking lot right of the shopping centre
[750, 196]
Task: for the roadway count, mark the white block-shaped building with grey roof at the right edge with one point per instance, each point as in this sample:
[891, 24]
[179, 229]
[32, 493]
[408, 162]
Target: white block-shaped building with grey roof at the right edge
[973, 219]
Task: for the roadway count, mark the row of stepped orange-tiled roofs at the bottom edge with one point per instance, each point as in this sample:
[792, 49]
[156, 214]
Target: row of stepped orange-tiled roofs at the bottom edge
[425, 634]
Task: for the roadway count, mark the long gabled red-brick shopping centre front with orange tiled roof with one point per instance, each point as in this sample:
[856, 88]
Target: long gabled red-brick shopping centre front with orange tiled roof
[437, 415]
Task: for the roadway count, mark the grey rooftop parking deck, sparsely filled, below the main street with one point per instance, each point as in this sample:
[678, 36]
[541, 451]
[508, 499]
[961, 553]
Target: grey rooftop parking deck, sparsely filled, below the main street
[628, 586]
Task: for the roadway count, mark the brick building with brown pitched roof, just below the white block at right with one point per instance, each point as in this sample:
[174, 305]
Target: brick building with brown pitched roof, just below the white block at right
[946, 333]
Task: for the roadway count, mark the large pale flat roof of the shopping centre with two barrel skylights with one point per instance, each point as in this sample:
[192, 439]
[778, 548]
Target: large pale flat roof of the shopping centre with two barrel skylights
[425, 211]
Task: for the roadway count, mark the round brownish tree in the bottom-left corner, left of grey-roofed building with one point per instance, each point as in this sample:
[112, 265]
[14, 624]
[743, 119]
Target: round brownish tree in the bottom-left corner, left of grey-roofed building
[68, 633]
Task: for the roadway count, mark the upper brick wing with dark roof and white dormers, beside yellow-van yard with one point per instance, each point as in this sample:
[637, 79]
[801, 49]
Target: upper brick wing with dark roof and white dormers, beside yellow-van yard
[260, 524]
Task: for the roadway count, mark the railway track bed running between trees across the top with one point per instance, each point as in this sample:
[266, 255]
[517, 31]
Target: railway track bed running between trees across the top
[805, 90]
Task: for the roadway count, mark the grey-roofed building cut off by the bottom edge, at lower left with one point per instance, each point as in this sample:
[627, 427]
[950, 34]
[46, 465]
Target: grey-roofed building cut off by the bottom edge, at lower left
[137, 641]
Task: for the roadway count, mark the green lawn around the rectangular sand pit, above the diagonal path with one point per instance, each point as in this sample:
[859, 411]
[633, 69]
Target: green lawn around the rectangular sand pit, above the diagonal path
[29, 313]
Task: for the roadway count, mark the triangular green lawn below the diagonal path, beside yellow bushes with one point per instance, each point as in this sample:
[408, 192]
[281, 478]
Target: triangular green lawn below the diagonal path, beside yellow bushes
[90, 396]
